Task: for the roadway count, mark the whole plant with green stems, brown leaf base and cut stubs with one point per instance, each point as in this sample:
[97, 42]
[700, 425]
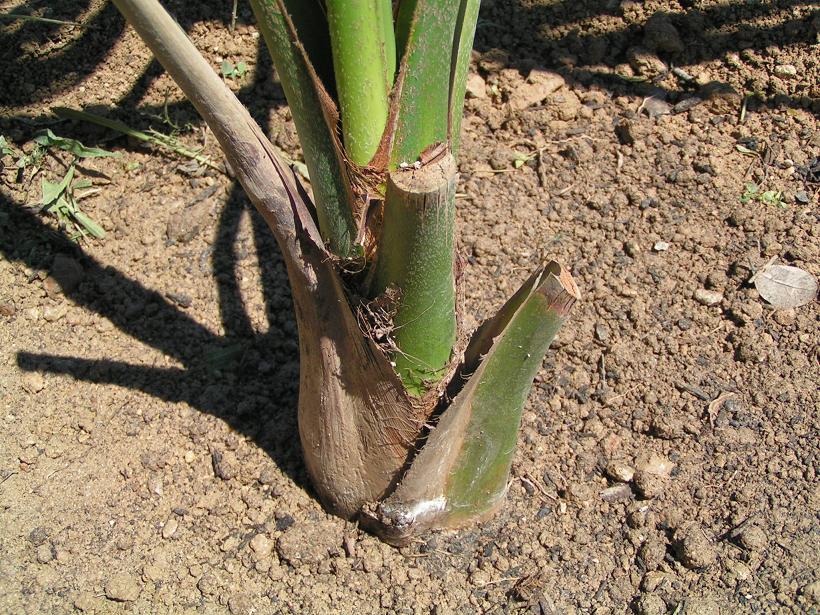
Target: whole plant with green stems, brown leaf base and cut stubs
[407, 422]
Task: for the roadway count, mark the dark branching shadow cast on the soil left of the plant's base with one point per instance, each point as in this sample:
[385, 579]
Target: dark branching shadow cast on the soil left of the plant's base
[249, 380]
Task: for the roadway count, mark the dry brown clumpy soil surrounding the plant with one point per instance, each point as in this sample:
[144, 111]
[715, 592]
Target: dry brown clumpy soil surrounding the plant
[149, 459]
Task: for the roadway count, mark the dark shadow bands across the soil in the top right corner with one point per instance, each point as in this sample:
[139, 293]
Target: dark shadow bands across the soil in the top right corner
[567, 36]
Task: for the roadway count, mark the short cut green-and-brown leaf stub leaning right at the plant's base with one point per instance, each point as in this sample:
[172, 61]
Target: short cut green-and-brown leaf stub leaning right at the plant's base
[462, 472]
